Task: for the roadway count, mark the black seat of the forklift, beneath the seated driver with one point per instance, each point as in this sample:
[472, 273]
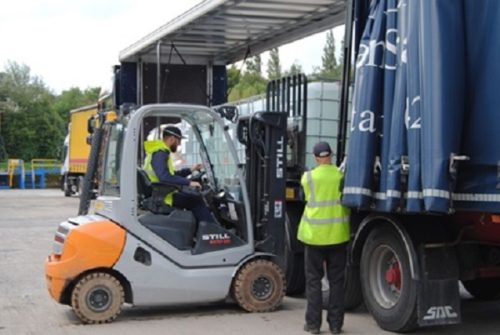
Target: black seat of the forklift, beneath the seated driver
[151, 195]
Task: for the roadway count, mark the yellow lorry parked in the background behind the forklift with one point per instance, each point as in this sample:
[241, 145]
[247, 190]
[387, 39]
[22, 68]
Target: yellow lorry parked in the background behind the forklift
[76, 149]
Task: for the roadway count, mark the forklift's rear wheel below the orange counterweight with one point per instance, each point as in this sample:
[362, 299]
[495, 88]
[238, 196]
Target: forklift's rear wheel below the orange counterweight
[97, 298]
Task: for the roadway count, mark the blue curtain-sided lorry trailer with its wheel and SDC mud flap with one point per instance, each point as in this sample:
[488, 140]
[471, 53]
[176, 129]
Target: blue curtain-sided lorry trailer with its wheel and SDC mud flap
[422, 167]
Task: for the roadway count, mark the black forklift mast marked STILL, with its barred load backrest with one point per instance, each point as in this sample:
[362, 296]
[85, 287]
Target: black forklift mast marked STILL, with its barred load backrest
[275, 156]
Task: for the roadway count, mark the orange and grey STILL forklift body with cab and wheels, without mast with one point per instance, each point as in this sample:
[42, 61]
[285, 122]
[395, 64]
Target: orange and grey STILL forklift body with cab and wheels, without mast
[138, 250]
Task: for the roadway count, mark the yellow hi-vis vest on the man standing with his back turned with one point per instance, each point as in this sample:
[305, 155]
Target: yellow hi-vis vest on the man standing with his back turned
[324, 221]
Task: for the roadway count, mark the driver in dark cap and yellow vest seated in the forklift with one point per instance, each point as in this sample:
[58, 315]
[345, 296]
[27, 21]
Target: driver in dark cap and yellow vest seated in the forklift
[159, 167]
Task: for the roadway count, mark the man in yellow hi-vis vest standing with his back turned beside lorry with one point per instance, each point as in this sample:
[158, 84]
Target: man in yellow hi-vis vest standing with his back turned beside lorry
[324, 229]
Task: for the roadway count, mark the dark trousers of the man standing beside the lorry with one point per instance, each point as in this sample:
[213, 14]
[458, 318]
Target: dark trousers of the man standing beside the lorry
[334, 259]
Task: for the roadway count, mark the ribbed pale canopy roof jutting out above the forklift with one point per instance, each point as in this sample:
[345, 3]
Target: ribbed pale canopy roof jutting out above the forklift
[225, 31]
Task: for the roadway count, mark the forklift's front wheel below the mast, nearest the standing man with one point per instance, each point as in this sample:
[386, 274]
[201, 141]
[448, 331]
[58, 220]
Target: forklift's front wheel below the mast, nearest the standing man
[259, 286]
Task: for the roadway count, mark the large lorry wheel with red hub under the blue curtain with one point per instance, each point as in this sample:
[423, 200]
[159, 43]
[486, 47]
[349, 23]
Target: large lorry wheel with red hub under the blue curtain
[389, 292]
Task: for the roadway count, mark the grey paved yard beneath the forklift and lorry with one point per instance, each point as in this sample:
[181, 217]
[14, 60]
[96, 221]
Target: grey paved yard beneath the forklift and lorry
[28, 219]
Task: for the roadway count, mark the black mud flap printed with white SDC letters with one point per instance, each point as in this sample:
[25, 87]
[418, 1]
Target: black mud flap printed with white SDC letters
[438, 294]
